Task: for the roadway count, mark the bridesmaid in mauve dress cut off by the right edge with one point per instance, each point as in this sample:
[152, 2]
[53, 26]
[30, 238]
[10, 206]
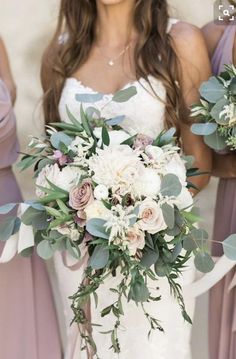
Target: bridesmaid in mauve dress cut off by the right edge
[221, 41]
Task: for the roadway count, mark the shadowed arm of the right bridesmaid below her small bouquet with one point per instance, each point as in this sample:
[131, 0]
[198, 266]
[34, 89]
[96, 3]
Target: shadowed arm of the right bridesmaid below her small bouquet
[224, 166]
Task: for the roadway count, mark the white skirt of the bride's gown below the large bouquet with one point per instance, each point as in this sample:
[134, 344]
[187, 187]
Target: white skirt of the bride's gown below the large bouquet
[174, 343]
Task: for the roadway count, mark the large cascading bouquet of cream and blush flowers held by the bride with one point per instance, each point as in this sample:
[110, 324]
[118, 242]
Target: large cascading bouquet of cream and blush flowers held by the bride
[121, 202]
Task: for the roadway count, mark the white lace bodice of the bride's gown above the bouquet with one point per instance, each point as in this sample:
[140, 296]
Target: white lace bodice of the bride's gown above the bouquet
[144, 112]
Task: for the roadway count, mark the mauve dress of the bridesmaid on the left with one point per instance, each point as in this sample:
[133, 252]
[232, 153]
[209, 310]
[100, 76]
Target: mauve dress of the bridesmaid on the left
[28, 324]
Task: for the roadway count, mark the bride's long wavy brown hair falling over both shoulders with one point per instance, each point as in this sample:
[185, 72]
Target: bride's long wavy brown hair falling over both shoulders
[154, 53]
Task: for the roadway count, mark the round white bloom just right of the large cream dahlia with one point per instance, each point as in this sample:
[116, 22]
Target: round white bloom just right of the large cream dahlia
[148, 183]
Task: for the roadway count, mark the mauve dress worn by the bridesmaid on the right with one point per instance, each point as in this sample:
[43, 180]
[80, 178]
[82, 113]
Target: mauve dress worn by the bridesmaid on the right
[222, 305]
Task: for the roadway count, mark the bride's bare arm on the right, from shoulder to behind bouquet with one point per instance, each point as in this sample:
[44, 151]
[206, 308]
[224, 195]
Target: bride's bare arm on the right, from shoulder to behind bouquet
[195, 67]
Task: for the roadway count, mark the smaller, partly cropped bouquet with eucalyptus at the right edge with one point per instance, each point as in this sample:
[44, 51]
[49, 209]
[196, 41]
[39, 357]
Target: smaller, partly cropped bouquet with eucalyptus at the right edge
[217, 111]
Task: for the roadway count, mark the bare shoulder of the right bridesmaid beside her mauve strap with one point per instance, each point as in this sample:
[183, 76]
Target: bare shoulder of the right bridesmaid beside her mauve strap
[212, 34]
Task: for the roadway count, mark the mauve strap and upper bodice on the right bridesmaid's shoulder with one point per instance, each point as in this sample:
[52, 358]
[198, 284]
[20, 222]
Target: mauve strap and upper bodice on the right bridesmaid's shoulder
[223, 54]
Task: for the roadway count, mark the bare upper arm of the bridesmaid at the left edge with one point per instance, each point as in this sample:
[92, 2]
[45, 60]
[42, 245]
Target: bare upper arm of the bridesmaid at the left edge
[5, 71]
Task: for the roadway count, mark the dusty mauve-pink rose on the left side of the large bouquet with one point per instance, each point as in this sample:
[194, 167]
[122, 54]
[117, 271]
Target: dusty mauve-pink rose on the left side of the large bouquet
[81, 196]
